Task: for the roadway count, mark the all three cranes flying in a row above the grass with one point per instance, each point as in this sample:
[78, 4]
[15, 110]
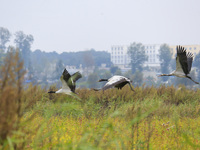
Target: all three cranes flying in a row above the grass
[183, 67]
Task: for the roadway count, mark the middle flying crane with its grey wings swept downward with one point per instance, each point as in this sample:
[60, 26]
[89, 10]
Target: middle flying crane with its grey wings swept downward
[115, 81]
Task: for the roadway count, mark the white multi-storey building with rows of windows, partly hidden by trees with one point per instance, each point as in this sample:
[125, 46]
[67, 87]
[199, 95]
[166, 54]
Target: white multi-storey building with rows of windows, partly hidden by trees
[119, 55]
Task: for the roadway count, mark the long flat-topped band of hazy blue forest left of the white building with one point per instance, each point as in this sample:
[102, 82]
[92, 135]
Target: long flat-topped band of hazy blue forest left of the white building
[85, 58]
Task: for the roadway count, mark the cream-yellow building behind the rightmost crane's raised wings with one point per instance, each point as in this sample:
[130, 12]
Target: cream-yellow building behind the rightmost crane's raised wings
[195, 49]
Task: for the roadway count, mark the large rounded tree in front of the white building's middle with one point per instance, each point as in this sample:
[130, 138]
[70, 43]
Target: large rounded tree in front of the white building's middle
[136, 52]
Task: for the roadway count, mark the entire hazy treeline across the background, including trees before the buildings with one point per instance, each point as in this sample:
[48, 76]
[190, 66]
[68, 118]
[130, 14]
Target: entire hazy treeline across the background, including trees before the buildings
[46, 67]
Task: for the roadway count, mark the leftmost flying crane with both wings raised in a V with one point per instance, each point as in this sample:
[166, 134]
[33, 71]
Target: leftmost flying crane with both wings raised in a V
[68, 83]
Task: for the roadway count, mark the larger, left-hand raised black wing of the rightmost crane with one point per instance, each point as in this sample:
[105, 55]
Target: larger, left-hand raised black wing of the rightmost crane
[181, 59]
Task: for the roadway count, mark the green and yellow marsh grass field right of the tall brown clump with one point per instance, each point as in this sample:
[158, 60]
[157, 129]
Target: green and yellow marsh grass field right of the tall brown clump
[150, 118]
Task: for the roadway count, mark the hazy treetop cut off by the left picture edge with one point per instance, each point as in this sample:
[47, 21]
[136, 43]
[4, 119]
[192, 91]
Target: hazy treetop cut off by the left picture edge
[4, 38]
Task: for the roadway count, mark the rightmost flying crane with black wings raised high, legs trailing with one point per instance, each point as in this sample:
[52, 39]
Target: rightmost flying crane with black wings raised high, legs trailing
[183, 64]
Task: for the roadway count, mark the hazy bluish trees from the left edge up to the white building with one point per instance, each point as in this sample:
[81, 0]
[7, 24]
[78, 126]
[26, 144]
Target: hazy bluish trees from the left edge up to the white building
[43, 66]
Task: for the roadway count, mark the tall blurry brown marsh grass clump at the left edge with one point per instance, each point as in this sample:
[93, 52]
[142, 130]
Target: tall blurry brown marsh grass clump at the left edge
[14, 102]
